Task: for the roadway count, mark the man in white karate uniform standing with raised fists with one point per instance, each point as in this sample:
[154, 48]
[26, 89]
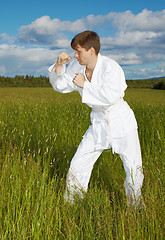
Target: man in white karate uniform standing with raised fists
[101, 83]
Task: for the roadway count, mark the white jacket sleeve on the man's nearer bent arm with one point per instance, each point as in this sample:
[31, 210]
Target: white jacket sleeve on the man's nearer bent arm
[110, 90]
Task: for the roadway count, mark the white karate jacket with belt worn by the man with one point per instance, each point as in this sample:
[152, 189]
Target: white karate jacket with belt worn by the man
[111, 117]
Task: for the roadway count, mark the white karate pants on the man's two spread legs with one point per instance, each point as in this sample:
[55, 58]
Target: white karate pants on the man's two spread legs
[81, 166]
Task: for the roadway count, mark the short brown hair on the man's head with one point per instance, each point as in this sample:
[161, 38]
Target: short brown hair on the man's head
[86, 39]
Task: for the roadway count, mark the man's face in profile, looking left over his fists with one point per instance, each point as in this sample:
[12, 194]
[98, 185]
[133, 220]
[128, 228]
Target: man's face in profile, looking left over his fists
[82, 55]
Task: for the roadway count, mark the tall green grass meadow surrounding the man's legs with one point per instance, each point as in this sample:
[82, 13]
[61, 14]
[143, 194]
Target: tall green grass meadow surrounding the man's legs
[40, 131]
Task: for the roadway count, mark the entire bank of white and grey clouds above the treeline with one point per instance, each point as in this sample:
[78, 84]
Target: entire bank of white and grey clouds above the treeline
[136, 40]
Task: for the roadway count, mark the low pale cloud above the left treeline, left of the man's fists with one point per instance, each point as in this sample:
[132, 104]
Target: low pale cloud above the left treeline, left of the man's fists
[18, 60]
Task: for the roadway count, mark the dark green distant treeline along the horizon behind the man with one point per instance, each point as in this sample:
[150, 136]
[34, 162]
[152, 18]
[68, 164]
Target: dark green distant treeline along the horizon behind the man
[42, 81]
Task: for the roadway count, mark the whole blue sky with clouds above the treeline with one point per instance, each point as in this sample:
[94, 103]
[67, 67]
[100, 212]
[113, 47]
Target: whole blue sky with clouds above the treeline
[33, 33]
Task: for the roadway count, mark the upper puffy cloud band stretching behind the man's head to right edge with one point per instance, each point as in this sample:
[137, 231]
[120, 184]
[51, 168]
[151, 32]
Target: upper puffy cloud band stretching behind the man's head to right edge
[145, 29]
